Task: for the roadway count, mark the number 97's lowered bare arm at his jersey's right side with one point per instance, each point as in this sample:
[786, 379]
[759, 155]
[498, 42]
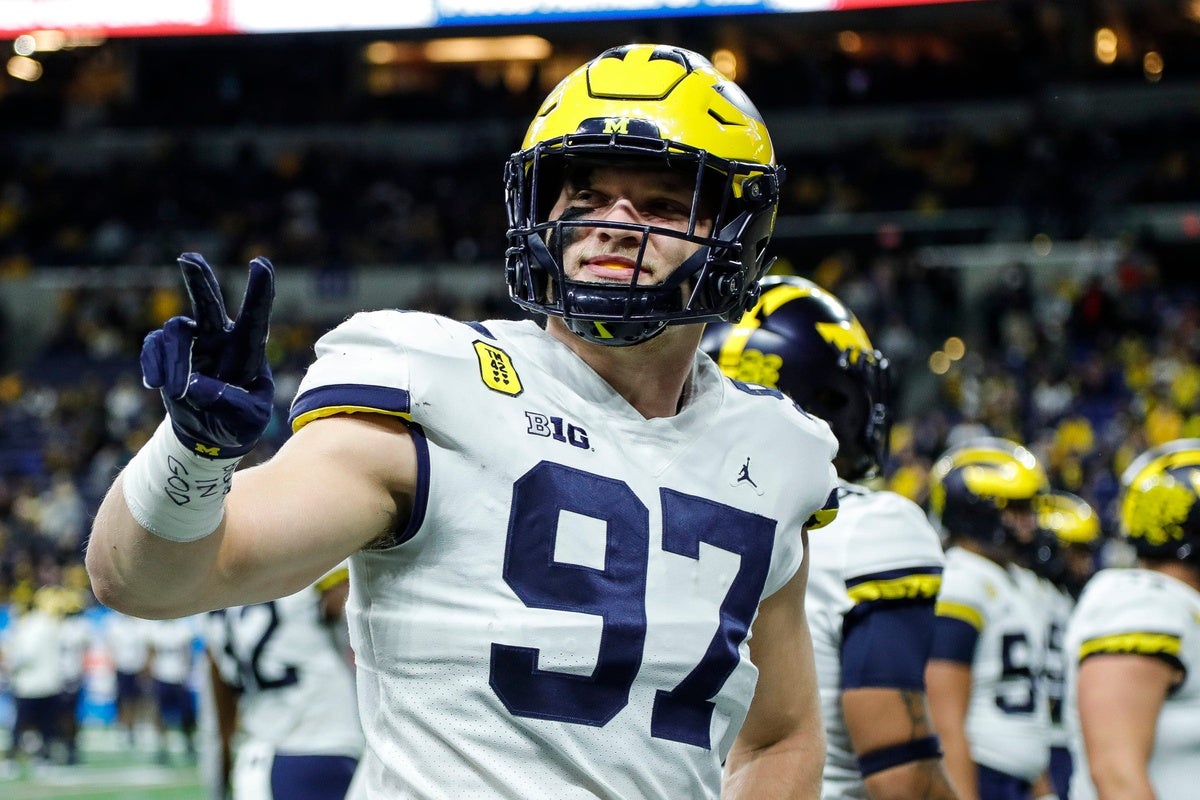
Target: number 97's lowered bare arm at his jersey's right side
[779, 753]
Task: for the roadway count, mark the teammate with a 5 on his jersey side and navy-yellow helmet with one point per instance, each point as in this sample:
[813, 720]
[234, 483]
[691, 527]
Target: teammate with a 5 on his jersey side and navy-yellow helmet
[983, 675]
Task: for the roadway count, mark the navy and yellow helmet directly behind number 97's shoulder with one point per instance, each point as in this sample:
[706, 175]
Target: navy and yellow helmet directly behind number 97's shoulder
[803, 341]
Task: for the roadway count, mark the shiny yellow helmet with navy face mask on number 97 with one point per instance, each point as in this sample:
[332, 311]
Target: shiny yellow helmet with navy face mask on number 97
[662, 106]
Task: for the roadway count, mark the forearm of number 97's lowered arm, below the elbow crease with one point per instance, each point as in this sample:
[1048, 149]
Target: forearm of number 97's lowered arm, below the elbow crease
[788, 771]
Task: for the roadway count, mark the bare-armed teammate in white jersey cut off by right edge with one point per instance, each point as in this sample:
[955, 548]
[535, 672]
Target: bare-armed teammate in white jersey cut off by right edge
[1133, 643]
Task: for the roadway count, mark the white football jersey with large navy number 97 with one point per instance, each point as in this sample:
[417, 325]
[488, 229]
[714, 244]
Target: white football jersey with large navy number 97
[567, 613]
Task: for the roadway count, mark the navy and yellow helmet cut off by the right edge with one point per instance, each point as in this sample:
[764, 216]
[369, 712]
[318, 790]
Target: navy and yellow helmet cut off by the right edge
[1161, 502]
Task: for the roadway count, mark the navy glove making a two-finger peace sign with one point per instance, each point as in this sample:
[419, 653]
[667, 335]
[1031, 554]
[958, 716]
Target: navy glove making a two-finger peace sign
[211, 370]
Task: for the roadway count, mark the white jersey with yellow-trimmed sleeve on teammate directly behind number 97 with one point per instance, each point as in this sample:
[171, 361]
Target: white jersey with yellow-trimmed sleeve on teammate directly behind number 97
[880, 548]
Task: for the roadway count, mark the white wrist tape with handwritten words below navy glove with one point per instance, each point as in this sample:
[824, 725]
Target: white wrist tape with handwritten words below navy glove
[175, 494]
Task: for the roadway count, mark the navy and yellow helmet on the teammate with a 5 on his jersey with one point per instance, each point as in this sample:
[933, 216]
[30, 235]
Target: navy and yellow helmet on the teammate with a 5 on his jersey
[973, 485]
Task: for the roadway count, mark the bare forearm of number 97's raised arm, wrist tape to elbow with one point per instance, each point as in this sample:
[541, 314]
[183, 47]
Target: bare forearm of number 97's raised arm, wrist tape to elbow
[140, 574]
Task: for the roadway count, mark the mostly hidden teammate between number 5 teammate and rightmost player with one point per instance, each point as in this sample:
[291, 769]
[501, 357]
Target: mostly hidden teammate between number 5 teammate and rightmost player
[1065, 560]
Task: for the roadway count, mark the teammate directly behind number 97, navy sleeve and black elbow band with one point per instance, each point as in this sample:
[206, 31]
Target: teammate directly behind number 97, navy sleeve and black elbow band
[877, 569]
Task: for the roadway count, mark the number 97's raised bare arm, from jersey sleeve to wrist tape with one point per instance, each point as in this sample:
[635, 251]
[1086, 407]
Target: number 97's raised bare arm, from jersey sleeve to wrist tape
[337, 486]
